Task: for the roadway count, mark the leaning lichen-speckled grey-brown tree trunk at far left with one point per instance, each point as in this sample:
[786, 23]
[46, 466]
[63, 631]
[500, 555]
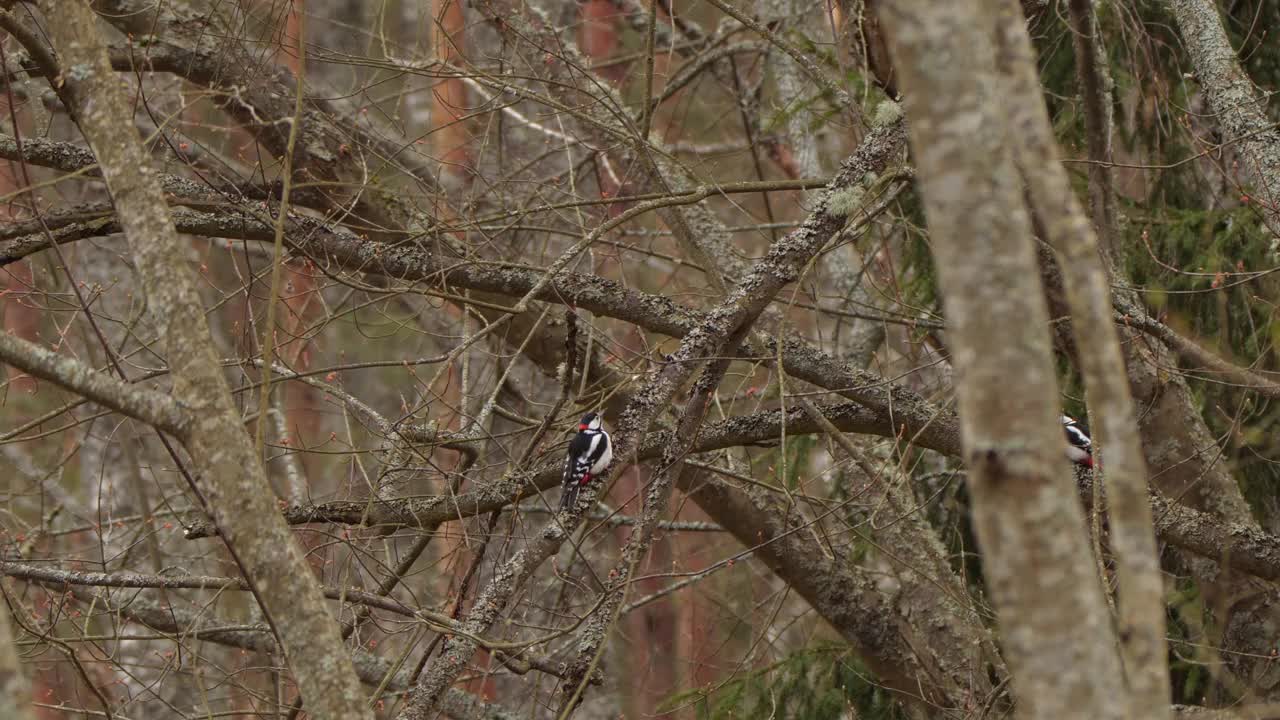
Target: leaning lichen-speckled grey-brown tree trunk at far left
[230, 476]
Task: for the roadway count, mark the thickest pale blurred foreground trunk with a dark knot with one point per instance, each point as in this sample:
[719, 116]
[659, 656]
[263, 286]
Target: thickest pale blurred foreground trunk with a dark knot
[1055, 630]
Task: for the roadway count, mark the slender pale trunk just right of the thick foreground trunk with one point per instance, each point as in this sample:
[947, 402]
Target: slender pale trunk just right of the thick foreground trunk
[1116, 421]
